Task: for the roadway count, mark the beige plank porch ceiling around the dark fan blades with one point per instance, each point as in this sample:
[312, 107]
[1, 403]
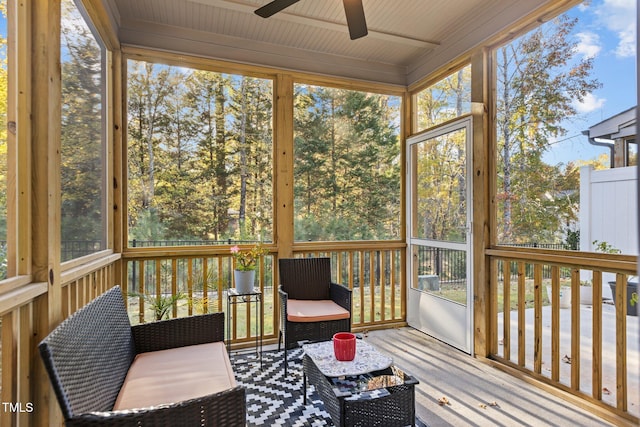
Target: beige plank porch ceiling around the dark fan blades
[407, 39]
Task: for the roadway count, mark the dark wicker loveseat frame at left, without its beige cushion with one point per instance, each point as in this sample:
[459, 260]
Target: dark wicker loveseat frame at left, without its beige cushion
[88, 356]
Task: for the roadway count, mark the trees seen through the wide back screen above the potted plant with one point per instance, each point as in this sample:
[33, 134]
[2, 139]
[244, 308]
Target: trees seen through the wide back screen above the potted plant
[200, 149]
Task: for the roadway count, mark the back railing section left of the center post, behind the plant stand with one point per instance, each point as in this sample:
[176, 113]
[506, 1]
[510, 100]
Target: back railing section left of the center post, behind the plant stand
[195, 280]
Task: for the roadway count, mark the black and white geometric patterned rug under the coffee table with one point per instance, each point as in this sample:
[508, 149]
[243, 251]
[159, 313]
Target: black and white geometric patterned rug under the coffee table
[272, 399]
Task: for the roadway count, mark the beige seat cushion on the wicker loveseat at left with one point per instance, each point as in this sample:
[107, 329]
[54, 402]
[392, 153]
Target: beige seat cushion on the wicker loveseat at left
[176, 374]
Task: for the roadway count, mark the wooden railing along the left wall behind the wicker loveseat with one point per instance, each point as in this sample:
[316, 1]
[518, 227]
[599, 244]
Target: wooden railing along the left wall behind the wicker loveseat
[22, 304]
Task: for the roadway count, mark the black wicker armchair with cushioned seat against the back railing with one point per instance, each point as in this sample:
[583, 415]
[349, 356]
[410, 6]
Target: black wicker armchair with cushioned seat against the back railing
[309, 279]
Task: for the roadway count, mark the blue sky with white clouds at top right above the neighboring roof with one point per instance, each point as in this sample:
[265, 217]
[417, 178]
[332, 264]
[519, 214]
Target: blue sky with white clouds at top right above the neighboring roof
[606, 32]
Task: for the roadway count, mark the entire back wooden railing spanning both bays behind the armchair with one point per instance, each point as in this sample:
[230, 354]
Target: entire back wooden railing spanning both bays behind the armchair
[199, 278]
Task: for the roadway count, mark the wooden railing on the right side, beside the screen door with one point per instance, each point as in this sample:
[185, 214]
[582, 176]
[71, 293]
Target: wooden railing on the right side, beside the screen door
[580, 349]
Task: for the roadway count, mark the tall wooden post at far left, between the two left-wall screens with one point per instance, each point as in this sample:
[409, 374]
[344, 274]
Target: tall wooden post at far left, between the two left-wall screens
[46, 193]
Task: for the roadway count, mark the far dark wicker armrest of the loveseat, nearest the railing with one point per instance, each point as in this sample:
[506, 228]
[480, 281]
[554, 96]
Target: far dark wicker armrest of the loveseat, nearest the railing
[179, 332]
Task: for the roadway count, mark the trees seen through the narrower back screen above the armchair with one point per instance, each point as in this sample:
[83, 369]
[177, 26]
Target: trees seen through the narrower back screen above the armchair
[346, 174]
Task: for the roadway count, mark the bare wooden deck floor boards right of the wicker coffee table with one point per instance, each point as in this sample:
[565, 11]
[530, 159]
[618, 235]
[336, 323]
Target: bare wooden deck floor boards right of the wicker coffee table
[472, 387]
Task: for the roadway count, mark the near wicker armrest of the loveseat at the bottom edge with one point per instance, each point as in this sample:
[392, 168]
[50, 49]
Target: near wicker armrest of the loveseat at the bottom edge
[226, 408]
